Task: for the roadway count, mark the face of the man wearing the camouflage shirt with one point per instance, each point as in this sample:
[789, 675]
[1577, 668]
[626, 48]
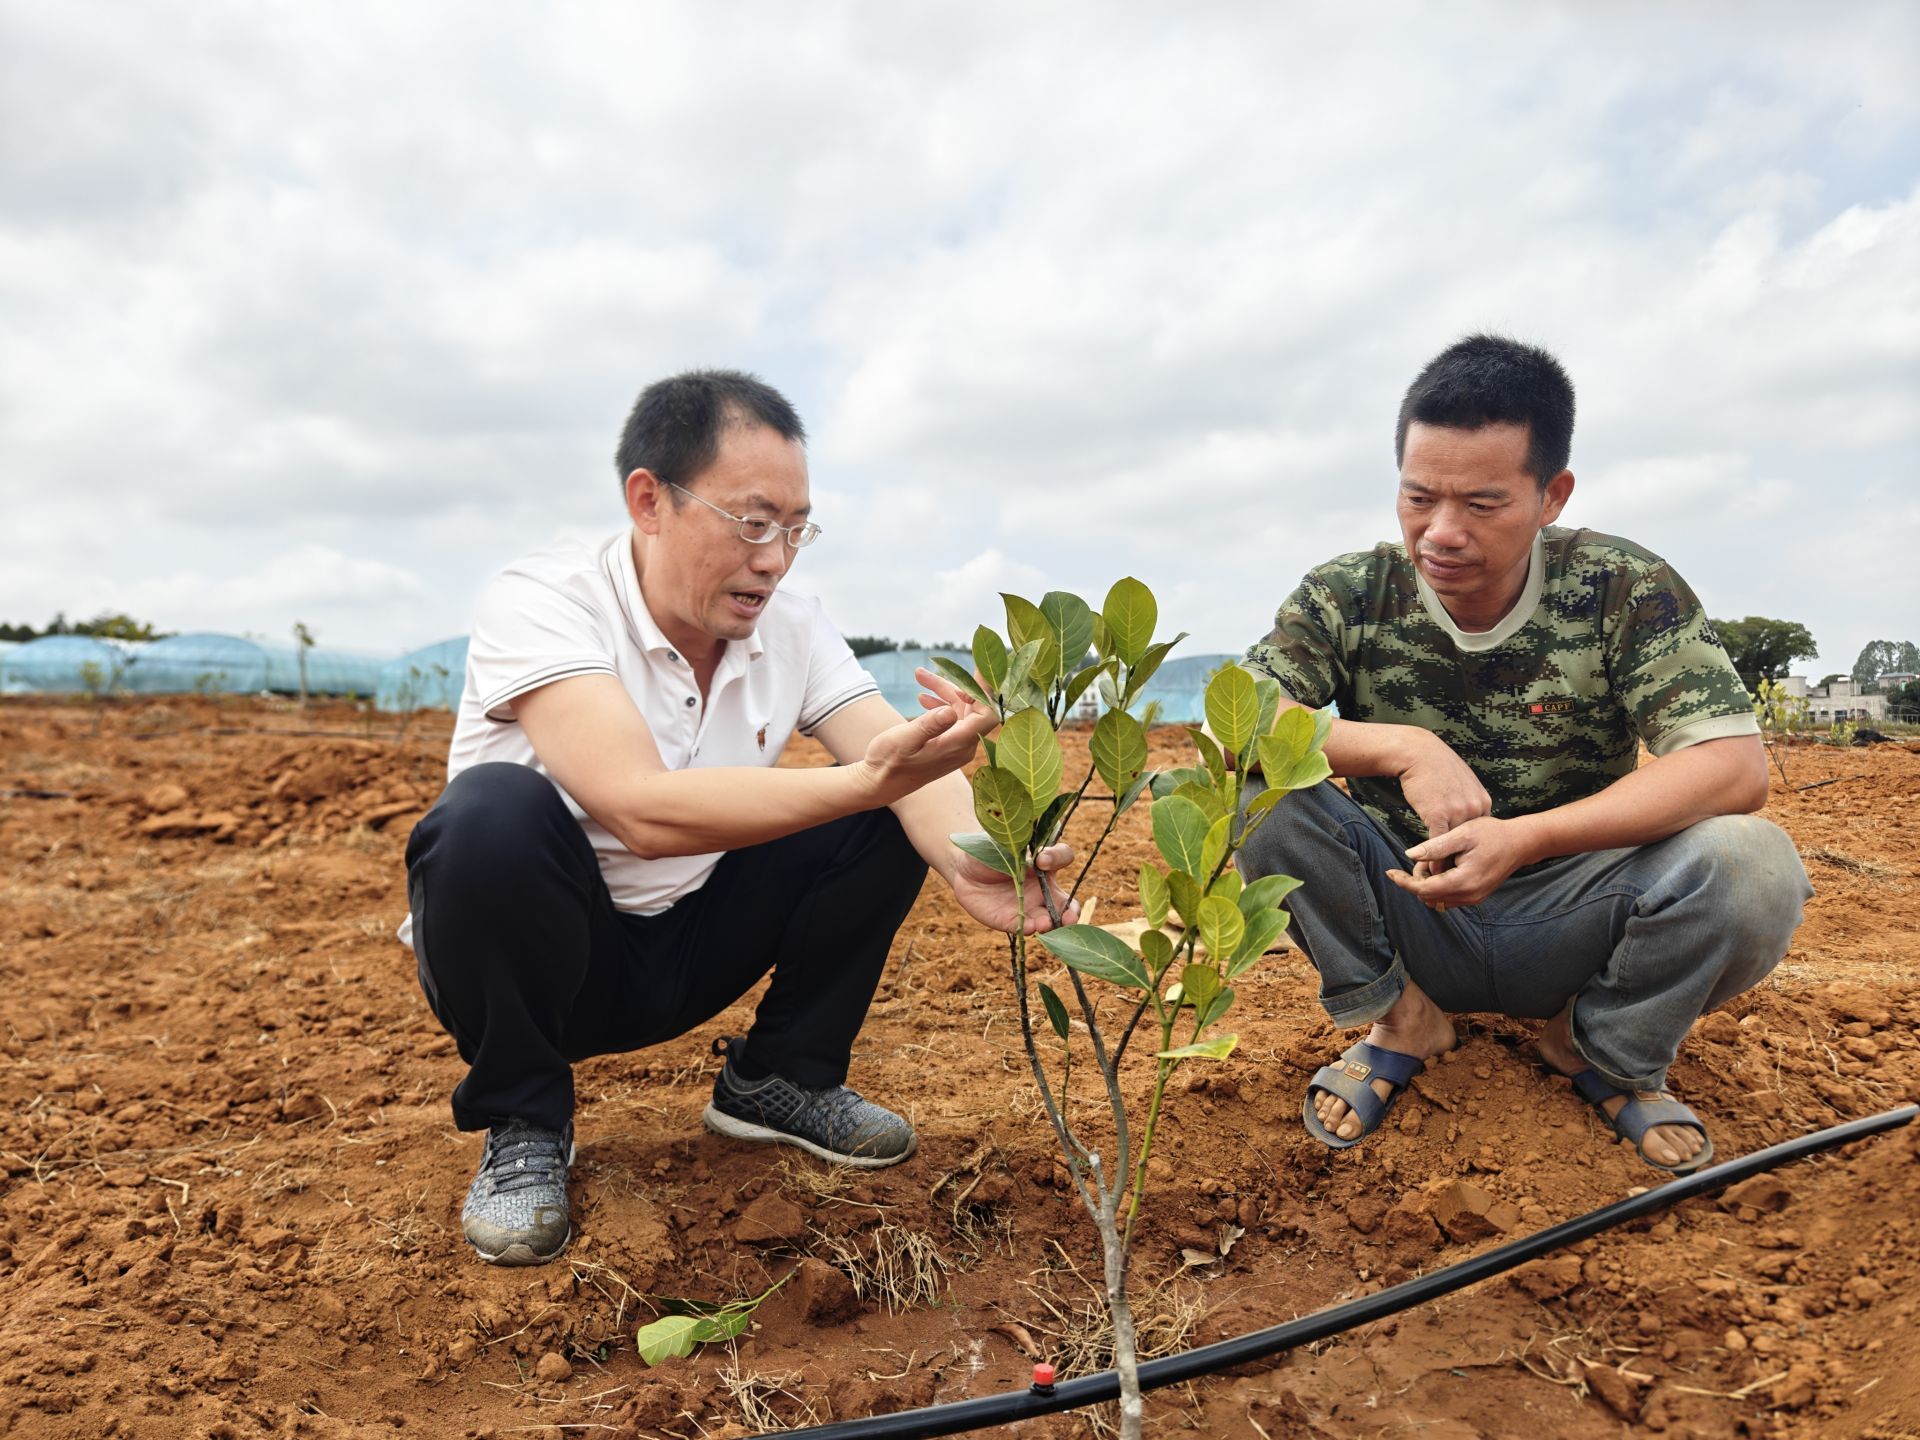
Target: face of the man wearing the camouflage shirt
[1470, 514]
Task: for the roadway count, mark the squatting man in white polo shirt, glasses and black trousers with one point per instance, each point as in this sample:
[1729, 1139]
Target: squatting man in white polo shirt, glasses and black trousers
[617, 859]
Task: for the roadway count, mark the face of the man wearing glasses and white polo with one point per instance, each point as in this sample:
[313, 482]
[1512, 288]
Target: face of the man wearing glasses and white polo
[700, 577]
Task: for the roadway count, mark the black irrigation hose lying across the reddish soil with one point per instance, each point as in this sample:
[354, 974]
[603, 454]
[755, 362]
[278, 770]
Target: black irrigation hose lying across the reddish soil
[1226, 1355]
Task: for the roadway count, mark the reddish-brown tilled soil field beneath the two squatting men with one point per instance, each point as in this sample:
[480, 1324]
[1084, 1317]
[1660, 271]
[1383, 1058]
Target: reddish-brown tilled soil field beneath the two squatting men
[231, 1184]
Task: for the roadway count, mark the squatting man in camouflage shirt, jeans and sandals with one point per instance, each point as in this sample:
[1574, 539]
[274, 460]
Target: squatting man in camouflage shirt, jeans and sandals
[1500, 850]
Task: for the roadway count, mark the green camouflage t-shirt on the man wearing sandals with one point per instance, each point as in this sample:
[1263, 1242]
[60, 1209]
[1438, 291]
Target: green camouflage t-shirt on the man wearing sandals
[1606, 648]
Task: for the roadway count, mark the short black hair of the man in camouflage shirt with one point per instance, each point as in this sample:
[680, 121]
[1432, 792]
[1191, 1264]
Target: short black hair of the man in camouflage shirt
[1493, 379]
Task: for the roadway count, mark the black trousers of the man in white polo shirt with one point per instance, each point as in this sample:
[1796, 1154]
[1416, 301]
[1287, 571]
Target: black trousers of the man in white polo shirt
[531, 967]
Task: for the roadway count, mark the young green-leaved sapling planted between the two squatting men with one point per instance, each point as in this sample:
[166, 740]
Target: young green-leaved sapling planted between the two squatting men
[1174, 978]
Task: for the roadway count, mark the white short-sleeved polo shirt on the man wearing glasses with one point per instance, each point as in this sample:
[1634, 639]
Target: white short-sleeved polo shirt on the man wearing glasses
[575, 610]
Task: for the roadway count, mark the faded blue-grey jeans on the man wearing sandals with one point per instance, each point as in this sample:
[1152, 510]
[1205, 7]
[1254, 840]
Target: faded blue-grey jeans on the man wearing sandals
[1641, 942]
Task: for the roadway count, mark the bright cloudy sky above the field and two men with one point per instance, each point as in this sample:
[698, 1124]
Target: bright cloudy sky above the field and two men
[327, 312]
